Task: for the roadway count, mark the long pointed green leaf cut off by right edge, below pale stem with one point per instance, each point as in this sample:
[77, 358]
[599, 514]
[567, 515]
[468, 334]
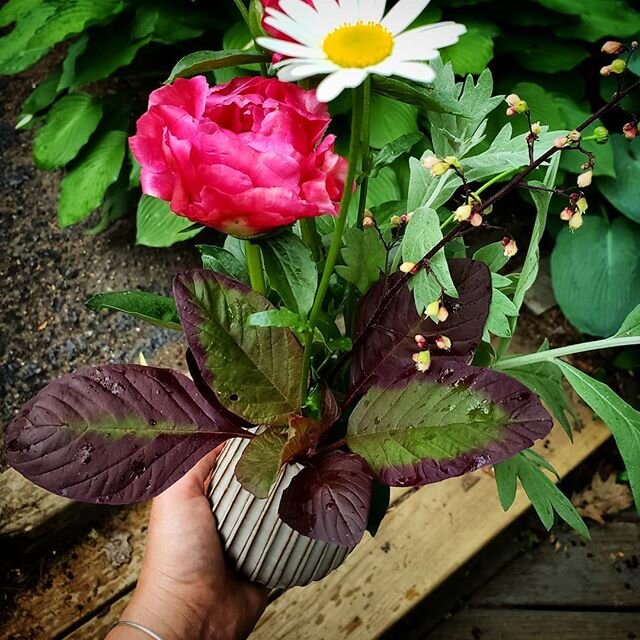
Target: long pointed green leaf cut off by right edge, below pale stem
[621, 418]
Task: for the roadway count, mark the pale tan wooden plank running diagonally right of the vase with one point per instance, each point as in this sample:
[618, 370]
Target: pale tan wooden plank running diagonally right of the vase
[429, 536]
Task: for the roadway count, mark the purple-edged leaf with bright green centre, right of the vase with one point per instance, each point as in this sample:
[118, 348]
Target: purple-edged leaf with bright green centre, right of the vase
[418, 428]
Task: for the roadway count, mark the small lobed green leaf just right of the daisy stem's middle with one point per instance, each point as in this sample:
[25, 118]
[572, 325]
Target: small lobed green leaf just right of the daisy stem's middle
[364, 258]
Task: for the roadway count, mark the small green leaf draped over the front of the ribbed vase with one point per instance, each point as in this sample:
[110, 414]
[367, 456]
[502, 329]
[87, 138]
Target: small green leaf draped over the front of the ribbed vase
[259, 466]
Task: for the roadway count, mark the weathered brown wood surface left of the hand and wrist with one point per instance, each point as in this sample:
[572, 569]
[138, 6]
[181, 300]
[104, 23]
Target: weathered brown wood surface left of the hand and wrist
[76, 584]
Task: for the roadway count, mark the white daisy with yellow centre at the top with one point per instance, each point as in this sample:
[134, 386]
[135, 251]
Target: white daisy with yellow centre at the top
[351, 39]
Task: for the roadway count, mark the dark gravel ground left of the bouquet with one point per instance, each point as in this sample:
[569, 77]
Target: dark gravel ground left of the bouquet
[47, 274]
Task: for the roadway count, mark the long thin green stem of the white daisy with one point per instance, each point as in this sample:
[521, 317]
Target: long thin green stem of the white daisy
[336, 243]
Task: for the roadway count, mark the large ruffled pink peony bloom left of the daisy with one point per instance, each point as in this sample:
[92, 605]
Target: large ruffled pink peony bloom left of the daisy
[245, 158]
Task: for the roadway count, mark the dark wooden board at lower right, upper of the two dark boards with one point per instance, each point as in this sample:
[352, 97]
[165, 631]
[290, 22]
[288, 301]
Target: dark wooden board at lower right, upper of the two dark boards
[601, 573]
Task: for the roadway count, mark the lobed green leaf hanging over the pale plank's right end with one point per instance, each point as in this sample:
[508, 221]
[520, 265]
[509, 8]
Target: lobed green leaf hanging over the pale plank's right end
[545, 497]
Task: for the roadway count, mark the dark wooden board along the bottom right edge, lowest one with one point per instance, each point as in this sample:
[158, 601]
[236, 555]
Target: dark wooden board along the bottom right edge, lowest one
[500, 624]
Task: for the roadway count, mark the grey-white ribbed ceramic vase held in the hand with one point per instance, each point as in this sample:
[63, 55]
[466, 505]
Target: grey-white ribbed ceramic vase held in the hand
[260, 545]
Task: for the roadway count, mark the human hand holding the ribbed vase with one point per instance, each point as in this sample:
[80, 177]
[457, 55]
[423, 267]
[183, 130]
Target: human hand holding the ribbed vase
[185, 591]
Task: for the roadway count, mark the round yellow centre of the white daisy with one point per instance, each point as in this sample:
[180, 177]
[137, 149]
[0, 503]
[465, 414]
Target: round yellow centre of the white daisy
[358, 45]
